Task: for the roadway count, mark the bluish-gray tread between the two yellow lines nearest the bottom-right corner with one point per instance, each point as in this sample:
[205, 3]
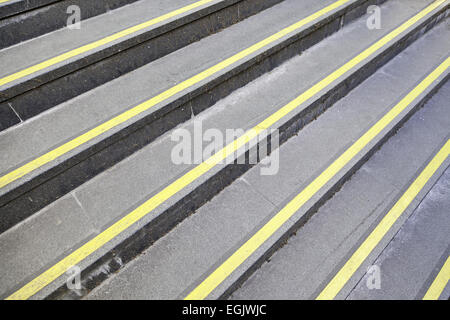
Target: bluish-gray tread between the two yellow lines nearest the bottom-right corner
[422, 243]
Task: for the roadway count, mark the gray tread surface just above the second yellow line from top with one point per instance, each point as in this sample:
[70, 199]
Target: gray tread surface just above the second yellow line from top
[55, 126]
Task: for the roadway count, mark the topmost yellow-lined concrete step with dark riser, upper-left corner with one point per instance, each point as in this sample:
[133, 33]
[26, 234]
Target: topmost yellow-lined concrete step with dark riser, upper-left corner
[39, 74]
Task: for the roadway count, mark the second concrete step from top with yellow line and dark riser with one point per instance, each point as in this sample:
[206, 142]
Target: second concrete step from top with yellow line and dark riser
[67, 146]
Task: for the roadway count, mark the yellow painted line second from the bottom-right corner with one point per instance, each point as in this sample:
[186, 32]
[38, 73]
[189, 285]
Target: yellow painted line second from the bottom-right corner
[360, 255]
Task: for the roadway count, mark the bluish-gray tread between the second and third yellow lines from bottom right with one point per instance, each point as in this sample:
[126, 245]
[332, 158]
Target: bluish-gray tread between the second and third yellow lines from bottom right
[308, 261]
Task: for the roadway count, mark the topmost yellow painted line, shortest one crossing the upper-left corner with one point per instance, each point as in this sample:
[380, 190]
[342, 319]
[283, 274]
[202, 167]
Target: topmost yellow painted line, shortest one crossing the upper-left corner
[96, 44]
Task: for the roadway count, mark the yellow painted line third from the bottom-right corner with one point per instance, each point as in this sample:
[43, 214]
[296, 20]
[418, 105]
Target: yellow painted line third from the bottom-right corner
[246, 250]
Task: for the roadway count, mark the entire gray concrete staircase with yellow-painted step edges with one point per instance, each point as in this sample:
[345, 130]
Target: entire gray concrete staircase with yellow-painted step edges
[90, 119]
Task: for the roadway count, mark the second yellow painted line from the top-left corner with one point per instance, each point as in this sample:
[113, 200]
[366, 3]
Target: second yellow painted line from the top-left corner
[133, 112]
